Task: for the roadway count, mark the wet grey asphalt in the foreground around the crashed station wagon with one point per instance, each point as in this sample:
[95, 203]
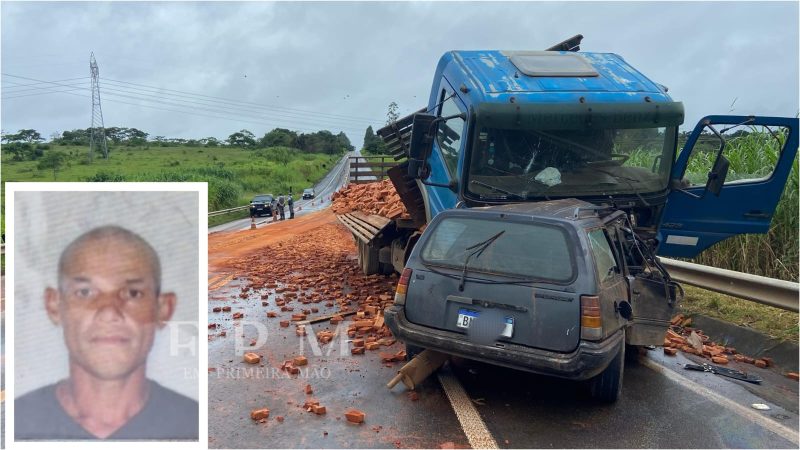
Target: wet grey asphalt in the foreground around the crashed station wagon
[662, 405]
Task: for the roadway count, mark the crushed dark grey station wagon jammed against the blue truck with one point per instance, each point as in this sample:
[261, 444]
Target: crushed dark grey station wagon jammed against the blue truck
[539, 287]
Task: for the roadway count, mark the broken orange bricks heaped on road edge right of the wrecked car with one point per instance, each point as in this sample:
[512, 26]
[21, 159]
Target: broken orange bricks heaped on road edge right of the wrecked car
[681, 336]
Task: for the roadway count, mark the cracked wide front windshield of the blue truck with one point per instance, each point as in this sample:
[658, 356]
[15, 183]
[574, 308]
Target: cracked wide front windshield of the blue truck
[532, 163]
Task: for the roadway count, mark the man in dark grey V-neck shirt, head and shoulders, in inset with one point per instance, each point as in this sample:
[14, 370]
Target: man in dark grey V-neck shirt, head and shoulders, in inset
[109, 304]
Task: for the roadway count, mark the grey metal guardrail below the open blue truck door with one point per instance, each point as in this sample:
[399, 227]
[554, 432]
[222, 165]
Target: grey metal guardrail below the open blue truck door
[767, 291]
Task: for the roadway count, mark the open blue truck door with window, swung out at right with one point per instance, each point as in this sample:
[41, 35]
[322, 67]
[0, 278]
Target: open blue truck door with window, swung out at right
[726, 181]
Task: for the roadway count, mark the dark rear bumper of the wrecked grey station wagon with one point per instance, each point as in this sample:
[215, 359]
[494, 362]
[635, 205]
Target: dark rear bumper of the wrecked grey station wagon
[588, 360]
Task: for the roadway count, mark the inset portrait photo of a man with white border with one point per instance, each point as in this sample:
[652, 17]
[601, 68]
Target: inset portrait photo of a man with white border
[105, 283]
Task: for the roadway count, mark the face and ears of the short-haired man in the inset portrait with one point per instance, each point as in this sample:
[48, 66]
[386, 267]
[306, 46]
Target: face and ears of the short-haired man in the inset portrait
[108, 307]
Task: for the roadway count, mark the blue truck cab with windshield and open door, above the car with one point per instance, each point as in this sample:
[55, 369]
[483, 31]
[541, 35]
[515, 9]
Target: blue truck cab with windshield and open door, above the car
[519, 126]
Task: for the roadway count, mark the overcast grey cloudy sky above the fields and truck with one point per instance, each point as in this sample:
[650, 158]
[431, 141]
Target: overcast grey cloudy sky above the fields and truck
[198, 69]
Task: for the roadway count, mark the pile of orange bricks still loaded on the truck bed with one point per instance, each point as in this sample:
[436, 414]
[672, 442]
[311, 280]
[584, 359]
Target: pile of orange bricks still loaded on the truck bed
[378, 198]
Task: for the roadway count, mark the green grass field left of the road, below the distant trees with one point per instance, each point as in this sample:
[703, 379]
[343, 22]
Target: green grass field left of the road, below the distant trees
[233, 175]
